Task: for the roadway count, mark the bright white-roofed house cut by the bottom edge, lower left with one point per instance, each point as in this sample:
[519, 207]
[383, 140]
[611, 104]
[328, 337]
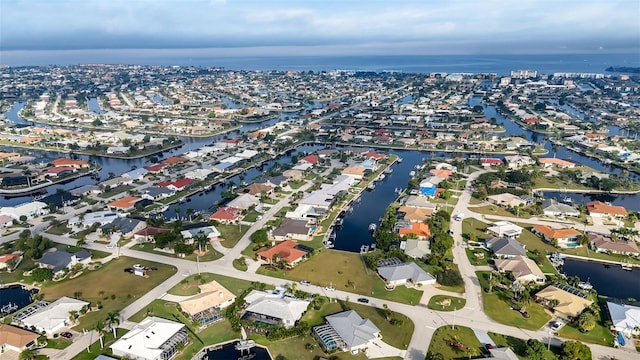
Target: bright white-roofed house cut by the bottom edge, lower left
[145, 339]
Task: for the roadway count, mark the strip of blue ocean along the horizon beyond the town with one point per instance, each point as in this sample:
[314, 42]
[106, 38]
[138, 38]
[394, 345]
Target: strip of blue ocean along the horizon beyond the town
[501, 64]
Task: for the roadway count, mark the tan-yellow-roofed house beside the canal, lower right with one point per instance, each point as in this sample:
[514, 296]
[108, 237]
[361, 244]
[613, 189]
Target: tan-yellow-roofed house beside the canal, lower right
[570, 301]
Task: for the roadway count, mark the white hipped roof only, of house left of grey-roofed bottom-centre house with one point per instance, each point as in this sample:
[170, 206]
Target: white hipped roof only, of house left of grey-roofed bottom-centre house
[276, 305]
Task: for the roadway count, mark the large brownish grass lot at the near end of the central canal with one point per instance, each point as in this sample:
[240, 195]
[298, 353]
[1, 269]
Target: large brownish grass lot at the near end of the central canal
[340, 267]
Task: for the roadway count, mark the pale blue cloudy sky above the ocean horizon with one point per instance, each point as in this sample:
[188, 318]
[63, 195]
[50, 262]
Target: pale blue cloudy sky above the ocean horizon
[346, 27]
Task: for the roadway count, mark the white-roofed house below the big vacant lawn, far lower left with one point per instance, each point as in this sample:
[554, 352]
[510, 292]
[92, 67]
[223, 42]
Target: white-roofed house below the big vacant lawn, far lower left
[53, 317]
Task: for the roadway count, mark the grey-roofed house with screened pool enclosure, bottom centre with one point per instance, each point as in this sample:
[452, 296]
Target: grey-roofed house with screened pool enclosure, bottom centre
[346, 331]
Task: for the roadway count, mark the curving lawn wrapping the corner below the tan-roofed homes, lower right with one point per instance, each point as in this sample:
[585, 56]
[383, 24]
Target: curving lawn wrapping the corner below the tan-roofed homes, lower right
[500, 310]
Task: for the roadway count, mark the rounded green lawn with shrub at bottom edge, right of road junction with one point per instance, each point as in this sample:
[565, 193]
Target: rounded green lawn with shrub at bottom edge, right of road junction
[444, 336]
